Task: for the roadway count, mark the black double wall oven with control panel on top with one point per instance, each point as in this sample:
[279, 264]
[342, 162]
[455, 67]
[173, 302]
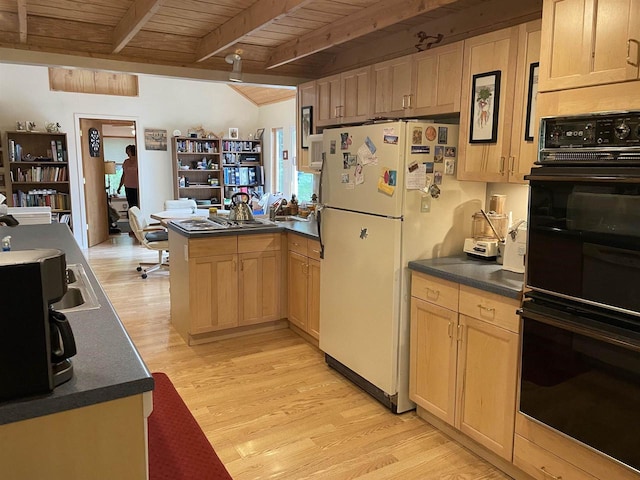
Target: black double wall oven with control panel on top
[580, 371]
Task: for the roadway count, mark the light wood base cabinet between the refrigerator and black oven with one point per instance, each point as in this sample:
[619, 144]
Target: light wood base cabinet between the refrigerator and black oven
[463, 359]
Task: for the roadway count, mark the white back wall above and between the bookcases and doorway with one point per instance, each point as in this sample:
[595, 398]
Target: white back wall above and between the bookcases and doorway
[163, 103]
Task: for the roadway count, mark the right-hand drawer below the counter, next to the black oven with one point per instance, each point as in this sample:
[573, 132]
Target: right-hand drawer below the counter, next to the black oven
[490, 307]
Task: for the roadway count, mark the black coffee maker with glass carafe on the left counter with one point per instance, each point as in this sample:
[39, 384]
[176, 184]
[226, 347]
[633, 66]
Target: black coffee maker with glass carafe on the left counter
[37, 342]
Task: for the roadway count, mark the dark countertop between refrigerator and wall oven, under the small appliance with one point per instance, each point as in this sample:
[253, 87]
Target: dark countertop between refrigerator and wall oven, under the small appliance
[481, 274]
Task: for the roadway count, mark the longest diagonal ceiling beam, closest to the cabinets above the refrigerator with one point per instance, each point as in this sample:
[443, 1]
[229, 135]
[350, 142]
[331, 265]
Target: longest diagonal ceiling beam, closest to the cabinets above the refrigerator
[368, 20]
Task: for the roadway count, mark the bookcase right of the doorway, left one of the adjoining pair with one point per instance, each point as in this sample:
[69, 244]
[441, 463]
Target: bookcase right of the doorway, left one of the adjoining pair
[197, 172]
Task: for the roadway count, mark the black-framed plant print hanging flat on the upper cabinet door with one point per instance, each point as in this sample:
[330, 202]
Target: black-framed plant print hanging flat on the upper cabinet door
[485, 105]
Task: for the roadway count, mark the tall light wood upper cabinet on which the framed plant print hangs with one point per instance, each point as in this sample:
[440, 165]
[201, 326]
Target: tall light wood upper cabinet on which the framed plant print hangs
[512, 52]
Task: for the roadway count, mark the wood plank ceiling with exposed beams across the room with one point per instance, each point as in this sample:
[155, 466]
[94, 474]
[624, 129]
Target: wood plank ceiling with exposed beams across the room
[281, 42]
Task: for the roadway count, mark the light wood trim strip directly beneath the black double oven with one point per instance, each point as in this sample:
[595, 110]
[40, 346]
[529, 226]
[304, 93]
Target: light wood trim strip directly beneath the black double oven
[569, 450]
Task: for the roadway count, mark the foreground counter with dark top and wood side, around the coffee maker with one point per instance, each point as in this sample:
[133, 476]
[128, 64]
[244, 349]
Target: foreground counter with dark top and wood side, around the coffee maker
[94, 425]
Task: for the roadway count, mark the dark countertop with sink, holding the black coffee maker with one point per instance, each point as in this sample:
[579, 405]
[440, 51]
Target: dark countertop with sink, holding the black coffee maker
[107, 365]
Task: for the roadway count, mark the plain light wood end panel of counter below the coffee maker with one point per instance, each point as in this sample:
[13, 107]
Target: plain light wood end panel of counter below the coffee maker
[103, 441]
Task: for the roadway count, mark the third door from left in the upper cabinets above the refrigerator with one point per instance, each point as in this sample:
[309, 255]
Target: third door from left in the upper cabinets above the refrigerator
[392, 87]
